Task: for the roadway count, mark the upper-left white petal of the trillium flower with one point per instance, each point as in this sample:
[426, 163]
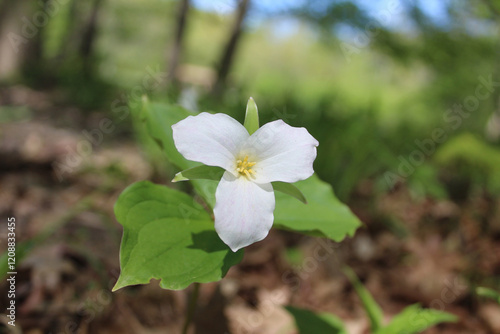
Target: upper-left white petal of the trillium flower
[212, 139]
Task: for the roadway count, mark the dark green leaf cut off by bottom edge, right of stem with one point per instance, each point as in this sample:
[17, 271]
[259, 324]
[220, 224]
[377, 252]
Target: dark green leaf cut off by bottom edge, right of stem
[316, 323]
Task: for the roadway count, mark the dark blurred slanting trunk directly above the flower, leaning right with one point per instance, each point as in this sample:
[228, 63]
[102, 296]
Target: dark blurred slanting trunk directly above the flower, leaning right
[230, 49]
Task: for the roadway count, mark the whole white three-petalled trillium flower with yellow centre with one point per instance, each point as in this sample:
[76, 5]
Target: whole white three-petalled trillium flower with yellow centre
[245, 197]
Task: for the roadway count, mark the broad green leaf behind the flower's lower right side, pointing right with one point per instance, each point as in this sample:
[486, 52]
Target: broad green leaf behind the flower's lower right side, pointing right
[323, 216]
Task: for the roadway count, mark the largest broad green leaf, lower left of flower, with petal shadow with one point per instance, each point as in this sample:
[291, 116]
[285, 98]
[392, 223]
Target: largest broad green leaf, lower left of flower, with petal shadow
[168, 236]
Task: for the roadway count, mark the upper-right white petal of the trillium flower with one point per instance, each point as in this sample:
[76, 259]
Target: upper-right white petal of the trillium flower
[281, 152]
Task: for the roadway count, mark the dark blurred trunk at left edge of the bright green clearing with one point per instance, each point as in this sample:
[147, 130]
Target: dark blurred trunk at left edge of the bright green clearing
[89, 37]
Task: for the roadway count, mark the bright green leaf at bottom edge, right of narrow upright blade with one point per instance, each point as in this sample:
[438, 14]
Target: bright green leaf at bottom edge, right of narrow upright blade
[415, 319]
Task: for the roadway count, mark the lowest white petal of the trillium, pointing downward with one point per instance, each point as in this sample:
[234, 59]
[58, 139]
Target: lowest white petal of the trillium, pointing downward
[243, 211]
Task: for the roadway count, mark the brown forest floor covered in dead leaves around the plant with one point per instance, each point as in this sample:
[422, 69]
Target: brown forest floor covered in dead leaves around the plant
[409, 251]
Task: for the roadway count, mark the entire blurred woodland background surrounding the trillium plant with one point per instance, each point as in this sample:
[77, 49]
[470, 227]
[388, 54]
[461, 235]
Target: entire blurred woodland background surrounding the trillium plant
[403, 96]
